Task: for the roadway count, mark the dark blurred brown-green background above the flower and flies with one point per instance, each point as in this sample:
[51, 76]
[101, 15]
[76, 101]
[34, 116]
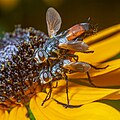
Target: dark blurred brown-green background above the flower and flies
[31, 13]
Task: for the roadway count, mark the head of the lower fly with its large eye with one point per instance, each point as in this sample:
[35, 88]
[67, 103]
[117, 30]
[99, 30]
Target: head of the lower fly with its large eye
[45, 76]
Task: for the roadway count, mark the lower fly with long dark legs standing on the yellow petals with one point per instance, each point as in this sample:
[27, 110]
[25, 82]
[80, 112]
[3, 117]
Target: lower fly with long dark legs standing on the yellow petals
[59, 70]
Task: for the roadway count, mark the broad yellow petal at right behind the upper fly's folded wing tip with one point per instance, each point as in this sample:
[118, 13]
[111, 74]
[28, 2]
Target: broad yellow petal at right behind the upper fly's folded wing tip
[103, 50]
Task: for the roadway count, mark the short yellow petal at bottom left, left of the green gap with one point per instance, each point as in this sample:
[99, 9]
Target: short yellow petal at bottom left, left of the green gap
[18, 113]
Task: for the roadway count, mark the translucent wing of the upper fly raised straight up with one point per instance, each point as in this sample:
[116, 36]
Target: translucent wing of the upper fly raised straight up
[53, 20]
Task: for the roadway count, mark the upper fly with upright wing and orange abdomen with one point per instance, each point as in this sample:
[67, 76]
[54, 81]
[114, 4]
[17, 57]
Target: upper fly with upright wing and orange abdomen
[68, 40]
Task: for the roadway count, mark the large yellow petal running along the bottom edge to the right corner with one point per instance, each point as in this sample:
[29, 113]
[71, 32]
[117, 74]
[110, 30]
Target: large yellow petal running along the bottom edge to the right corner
[53, 111]
